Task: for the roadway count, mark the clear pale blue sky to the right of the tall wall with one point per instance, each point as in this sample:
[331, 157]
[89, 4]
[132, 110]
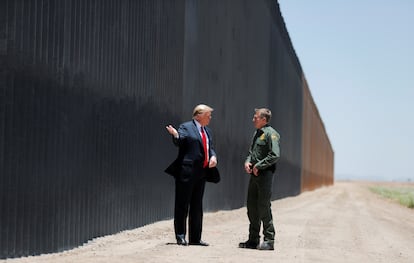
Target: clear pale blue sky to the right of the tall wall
[358, 59]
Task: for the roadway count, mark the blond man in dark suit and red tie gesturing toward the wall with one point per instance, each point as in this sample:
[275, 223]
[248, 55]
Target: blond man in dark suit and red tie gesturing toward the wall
[195, 156]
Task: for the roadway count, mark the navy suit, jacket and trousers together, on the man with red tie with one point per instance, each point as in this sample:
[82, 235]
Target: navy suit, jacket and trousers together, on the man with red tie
[190, 179]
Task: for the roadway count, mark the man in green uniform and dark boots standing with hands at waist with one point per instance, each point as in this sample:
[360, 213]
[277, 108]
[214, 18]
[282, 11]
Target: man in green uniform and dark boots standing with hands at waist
[261, 164]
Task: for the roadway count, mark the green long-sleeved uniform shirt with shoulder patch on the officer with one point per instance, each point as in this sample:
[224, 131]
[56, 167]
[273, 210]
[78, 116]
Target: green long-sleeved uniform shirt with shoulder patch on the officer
[264, 151]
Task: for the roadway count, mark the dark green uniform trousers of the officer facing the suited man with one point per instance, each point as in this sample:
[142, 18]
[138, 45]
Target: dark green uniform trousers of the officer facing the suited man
[259, 206]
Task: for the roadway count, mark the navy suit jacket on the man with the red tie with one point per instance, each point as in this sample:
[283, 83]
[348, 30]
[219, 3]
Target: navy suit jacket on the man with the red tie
[189, 162]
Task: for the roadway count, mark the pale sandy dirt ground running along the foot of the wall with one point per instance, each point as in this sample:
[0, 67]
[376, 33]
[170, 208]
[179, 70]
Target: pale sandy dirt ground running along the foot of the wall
[340, 223]
